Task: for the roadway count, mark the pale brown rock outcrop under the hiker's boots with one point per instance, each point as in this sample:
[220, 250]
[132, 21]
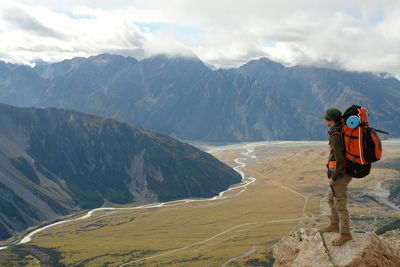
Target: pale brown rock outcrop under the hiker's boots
[308, 247]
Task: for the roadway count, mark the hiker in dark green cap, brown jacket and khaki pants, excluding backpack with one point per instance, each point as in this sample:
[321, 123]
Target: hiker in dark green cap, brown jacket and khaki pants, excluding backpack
[338, 179]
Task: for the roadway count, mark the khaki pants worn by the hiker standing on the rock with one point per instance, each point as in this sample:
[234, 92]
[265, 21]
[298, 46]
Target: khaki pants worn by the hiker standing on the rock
[338, 205]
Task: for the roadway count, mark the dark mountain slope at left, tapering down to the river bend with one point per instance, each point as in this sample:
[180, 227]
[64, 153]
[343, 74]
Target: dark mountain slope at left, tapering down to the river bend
[57, 161]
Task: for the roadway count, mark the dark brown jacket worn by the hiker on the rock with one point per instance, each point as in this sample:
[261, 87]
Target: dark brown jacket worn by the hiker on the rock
[336, 153]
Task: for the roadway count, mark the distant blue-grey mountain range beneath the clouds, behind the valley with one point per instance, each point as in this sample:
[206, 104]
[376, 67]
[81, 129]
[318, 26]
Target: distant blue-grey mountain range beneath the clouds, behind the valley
[183, 98]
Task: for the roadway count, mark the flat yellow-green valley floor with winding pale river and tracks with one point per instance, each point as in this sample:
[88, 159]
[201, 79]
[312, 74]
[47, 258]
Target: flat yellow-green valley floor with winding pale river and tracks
[284, 187]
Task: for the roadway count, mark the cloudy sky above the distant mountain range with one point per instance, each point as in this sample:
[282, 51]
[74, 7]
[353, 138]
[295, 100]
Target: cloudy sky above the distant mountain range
[351, 35]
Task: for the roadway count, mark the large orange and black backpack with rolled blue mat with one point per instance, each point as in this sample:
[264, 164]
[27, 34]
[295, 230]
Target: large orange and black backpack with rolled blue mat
[362, 145]
